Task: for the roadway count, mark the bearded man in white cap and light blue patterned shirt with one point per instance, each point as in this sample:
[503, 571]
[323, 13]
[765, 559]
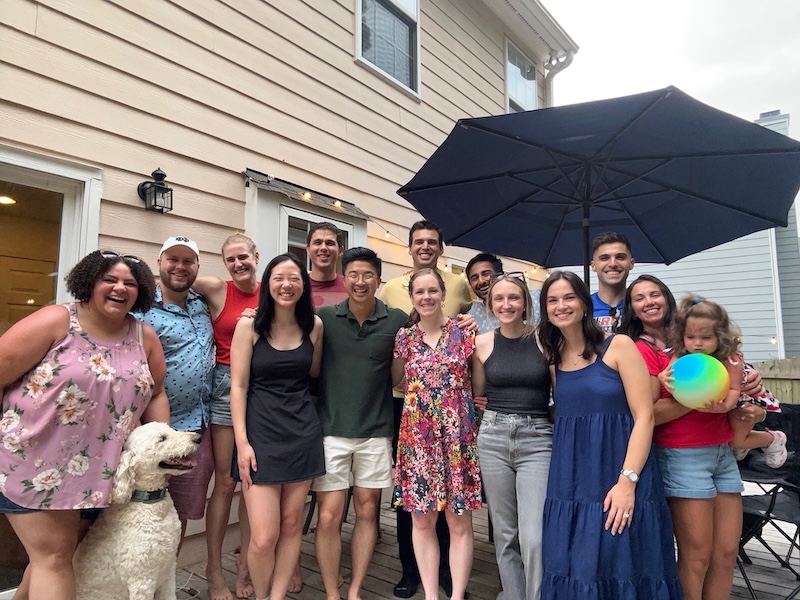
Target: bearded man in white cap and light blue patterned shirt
[182, 321]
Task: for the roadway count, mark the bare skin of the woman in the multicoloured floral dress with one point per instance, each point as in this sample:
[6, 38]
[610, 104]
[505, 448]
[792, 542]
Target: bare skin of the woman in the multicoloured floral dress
[427, 296]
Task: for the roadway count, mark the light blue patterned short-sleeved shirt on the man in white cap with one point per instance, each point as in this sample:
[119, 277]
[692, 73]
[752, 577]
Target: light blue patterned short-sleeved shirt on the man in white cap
[188, 342]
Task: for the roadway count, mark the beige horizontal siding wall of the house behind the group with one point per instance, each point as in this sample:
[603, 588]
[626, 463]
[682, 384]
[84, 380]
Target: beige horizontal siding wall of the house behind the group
[206, 89]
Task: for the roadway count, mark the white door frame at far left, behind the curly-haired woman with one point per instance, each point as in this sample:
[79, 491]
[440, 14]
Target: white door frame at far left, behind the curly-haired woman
[82, 188]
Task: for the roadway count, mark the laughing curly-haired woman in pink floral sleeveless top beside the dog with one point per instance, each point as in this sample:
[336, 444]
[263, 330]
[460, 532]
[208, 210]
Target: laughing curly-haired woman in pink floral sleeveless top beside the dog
[76, 378]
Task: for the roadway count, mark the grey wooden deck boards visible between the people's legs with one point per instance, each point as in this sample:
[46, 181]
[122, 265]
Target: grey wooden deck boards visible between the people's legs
[769, 579]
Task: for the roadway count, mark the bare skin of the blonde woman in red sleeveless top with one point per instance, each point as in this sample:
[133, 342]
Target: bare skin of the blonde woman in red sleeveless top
[241, 261]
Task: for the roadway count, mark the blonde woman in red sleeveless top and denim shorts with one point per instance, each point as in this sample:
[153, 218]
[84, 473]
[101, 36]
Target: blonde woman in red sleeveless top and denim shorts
[227, 300]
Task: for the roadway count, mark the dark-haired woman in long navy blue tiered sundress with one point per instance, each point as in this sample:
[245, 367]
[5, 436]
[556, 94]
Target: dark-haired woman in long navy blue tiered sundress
[607, 528]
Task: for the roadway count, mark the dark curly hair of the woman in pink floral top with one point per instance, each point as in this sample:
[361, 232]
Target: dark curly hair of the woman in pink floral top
[92, 267]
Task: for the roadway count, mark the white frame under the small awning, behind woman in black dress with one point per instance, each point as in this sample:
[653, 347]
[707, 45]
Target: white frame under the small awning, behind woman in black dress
[267, 221]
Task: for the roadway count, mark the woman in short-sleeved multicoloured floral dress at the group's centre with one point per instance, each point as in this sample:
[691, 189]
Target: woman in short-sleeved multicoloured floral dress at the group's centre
[437, 456]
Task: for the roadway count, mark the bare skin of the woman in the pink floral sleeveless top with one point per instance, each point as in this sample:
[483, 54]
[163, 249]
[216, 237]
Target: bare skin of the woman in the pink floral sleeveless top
[51, 536]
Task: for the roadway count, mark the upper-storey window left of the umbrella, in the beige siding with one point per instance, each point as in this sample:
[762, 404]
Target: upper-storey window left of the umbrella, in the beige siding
[388, 39]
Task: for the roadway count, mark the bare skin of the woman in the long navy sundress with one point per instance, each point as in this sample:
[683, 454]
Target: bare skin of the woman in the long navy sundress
[566, 311]
